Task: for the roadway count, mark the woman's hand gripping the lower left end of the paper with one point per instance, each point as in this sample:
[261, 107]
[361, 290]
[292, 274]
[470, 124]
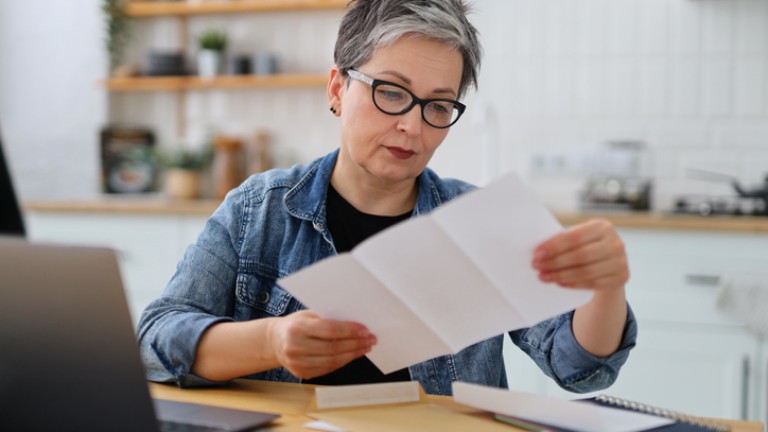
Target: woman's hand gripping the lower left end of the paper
[309, 346]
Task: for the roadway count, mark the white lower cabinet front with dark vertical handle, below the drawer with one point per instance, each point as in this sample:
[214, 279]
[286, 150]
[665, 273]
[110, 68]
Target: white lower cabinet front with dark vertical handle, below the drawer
[706, 373]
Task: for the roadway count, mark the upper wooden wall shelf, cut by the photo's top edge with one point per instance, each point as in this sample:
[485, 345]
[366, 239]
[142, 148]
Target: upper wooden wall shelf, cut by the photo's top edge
[183, 8]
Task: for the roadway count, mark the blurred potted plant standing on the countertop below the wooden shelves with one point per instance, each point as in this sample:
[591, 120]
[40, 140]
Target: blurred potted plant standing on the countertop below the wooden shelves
[183, 171]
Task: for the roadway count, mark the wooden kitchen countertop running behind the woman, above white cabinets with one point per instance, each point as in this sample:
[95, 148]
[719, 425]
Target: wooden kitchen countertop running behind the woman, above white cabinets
[158, 205]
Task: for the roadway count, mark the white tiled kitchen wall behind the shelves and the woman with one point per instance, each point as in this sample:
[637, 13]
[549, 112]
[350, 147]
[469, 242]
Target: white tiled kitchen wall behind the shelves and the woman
[688, 78]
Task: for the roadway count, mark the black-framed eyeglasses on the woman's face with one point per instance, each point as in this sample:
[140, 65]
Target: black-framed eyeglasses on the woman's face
[394, 99]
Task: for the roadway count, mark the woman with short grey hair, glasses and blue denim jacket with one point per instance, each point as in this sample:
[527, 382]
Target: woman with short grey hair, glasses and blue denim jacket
[400, 67]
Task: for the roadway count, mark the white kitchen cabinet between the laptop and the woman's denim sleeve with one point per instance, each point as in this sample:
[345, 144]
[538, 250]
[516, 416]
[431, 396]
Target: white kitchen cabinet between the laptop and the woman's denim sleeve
[148, 246]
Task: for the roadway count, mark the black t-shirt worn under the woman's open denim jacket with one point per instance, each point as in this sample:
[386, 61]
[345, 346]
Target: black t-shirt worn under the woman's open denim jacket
[348, 227]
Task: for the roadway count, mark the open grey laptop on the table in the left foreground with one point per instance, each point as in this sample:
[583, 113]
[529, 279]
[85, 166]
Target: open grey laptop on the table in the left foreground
[69, 358]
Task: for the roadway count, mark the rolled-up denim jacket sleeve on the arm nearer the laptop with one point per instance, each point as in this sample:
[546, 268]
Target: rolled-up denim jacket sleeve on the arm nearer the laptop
[200, 294]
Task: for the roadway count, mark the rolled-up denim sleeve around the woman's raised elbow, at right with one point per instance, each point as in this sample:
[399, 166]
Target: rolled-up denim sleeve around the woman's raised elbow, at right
[553, 346]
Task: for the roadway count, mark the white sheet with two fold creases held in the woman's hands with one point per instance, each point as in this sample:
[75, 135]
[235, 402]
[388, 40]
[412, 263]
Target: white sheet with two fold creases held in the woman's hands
[438, 283]
